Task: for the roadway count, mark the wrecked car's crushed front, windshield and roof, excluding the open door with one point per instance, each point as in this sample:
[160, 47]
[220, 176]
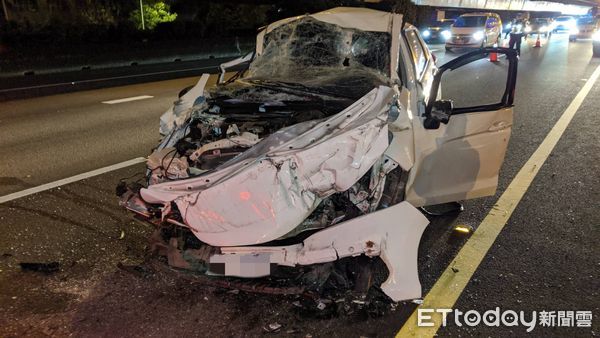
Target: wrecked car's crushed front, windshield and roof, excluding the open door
[284, 166]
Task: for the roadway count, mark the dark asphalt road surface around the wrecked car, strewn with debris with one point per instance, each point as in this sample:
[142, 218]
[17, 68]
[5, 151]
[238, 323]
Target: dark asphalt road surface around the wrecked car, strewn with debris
[546, 258]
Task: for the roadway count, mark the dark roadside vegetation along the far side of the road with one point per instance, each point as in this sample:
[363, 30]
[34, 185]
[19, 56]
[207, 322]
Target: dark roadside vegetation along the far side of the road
[81, 33]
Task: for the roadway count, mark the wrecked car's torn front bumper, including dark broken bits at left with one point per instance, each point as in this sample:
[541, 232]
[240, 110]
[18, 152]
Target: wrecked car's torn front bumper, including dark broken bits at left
[392, 233]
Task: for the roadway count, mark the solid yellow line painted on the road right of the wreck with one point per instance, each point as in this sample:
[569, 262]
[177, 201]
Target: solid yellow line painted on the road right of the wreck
[450, 285]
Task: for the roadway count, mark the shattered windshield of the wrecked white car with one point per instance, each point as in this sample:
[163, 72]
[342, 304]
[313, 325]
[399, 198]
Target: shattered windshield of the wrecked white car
[320, 55]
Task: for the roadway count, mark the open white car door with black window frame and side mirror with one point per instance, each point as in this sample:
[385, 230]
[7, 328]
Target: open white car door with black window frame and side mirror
[461, 139]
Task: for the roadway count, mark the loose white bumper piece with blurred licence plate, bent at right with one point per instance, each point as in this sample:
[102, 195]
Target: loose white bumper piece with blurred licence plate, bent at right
[392, 233]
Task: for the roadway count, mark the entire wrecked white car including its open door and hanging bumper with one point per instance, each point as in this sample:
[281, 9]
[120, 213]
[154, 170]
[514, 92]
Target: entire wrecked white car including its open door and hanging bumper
[319, 150]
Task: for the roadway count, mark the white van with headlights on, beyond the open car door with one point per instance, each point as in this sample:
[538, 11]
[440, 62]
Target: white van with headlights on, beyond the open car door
[475, 30]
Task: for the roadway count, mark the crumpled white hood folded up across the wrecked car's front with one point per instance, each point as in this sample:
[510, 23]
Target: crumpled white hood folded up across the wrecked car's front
[275, 191]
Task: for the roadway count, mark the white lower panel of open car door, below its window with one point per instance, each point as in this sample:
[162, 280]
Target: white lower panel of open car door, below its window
[460, 160]
